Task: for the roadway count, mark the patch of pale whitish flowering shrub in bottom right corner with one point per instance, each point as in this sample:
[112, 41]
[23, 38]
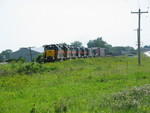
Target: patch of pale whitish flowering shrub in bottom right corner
[129, 99]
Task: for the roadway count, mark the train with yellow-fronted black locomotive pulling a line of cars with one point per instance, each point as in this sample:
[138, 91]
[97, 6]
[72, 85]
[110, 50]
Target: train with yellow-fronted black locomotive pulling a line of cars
[58, 52]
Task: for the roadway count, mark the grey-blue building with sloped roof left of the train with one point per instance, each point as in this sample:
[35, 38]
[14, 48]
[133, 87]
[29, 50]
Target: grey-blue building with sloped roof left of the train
[25, 53]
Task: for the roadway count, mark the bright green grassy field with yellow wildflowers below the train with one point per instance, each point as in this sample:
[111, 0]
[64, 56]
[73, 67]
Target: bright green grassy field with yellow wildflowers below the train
[93, 85]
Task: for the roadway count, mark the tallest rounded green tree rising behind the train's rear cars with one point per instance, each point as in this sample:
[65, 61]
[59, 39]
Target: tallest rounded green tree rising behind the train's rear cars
[99, 42]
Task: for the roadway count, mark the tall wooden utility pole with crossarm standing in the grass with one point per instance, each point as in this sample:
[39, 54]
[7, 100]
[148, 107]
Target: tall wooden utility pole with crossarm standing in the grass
[139, 27]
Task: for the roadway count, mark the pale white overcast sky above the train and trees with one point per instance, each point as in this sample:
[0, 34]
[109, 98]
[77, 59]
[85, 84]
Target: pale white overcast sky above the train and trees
[34, 23]
